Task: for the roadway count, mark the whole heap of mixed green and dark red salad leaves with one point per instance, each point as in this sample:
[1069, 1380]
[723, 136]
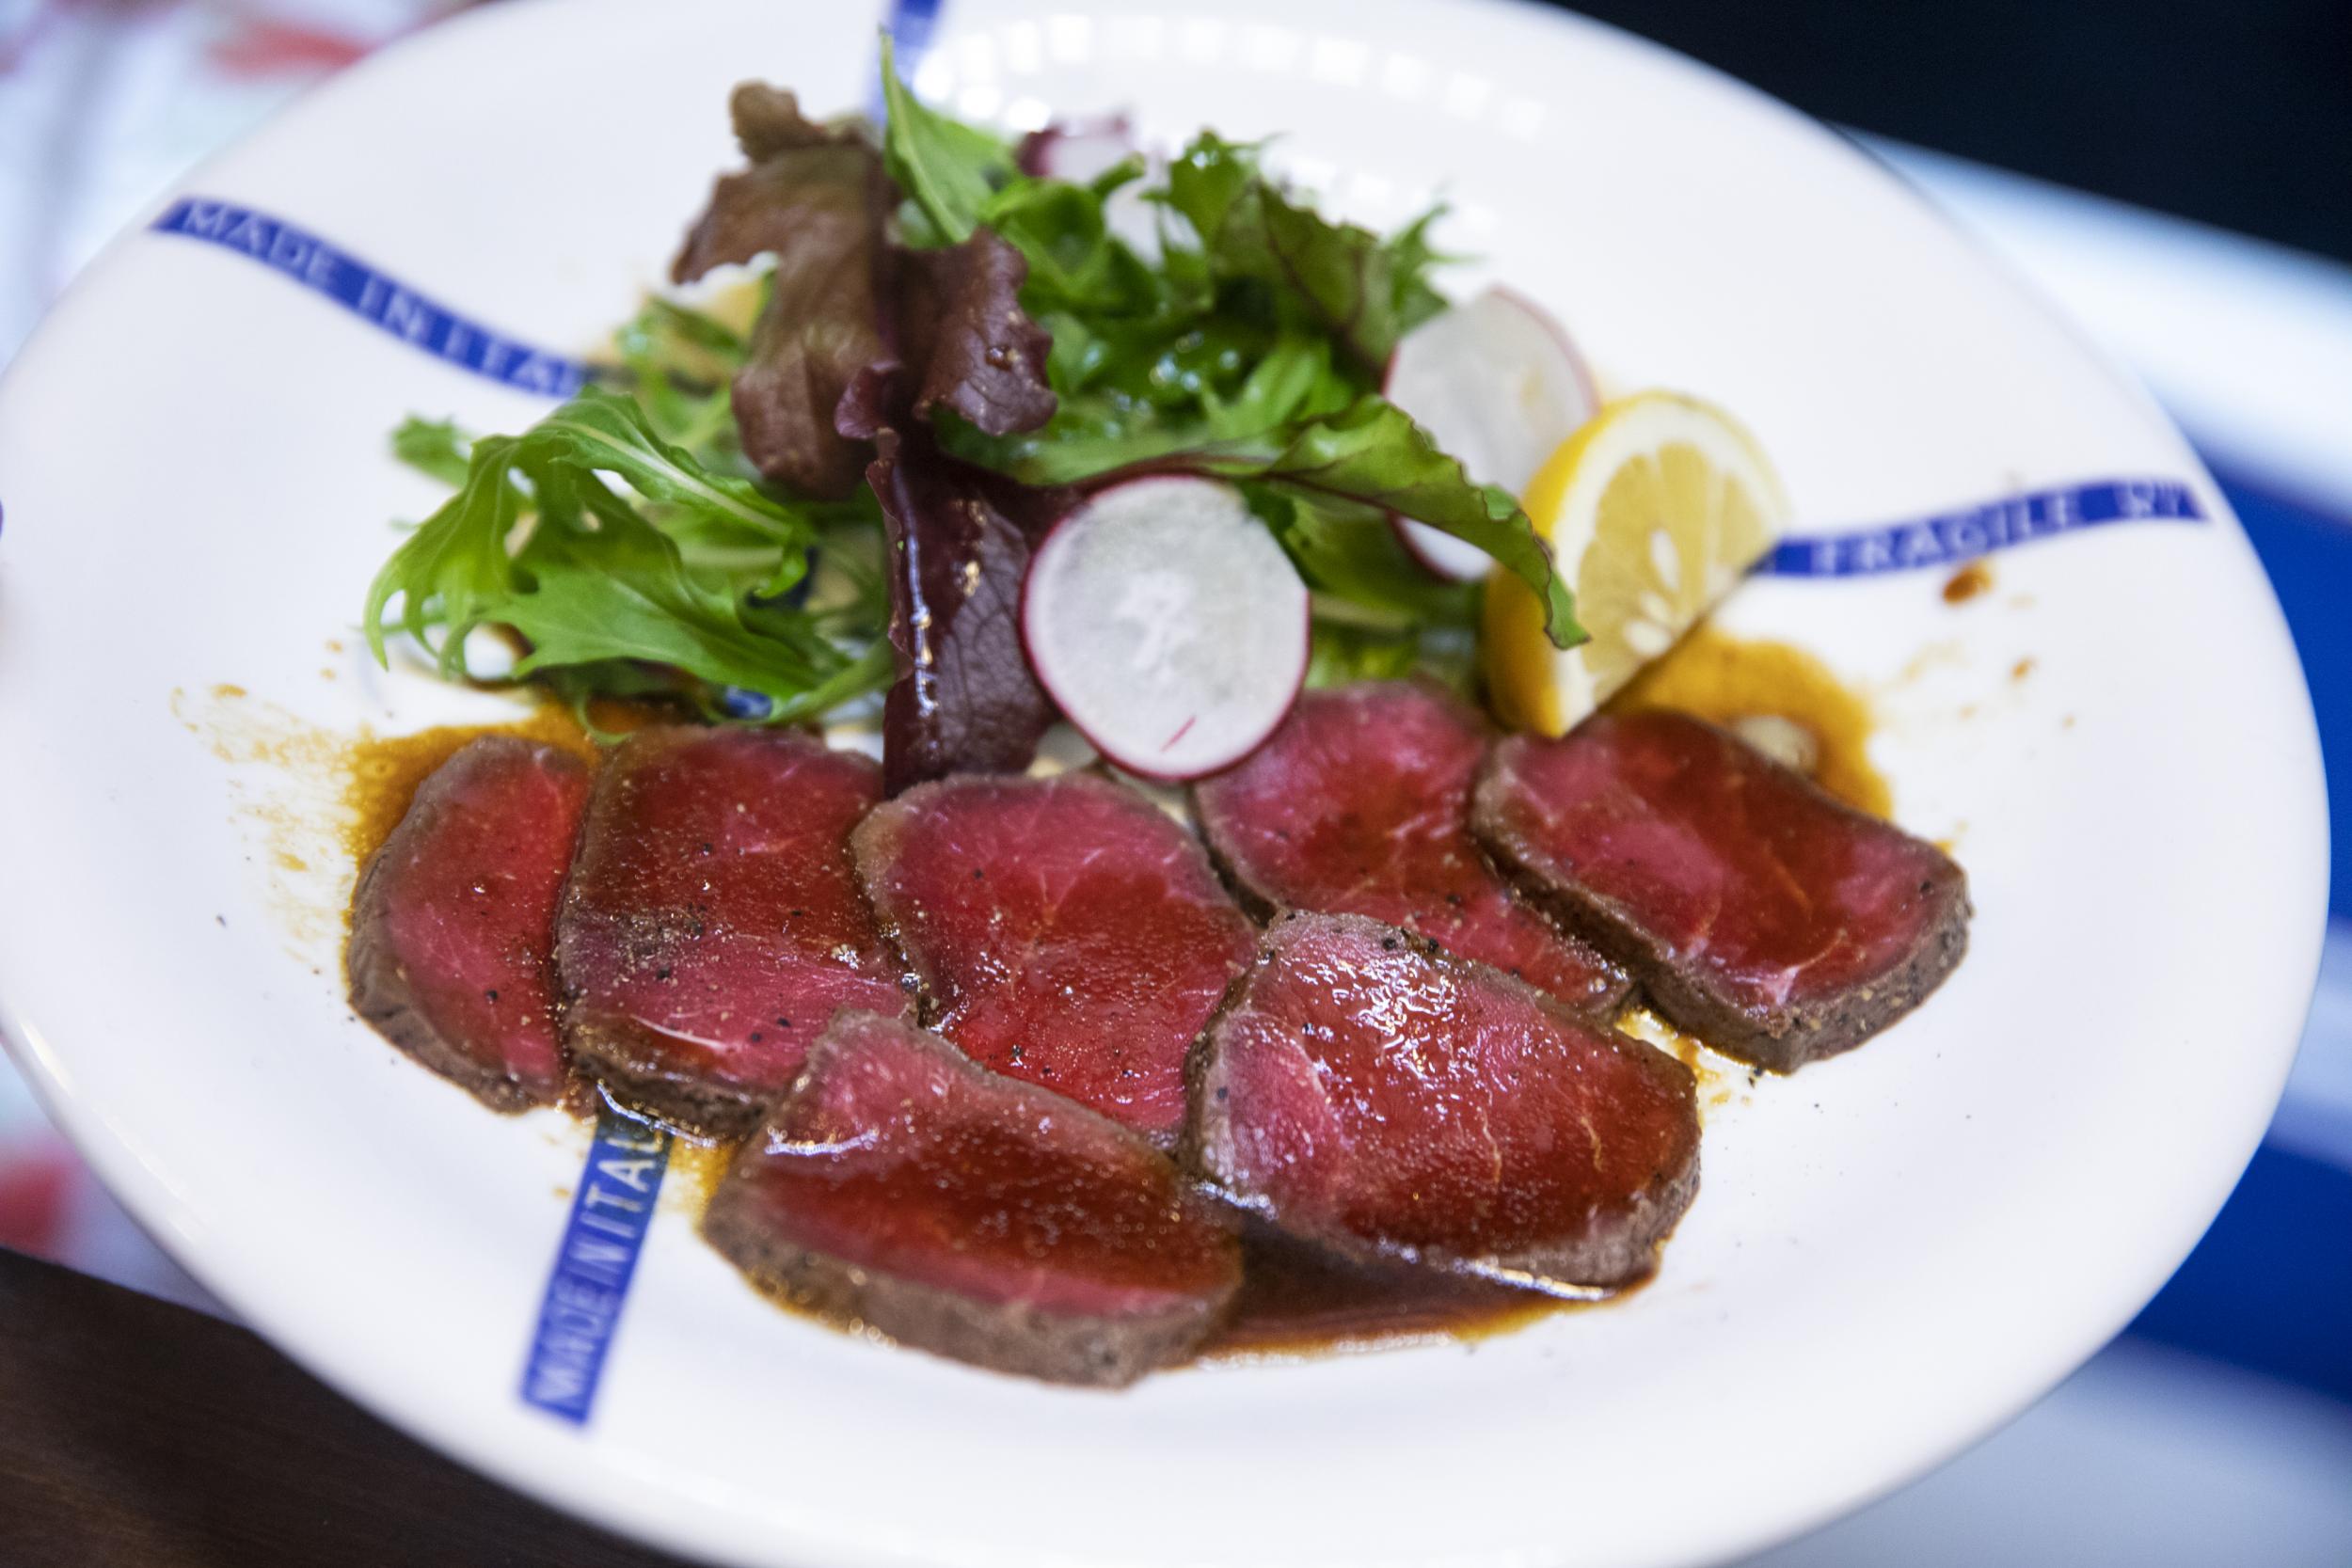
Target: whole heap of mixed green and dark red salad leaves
[780, 523]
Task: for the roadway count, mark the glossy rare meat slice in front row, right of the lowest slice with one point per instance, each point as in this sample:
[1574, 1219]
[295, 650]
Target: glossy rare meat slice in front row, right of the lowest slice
[1379, 1097]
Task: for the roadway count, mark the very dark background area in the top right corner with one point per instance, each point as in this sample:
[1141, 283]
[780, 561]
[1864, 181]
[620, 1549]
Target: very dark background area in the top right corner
[2229, 112]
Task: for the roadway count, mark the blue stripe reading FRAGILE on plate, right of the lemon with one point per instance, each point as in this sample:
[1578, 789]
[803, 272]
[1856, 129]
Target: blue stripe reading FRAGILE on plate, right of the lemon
[1951, 540]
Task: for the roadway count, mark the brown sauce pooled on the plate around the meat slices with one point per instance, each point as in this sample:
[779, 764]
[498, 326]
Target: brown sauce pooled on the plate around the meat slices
[1295, 1299]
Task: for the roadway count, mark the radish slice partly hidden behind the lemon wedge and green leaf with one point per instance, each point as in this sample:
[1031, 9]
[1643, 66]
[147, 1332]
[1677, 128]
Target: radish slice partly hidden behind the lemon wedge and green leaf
[1497, 384]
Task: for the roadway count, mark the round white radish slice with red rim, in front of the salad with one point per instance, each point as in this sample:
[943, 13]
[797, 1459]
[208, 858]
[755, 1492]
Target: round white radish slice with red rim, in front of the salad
[1168, 624]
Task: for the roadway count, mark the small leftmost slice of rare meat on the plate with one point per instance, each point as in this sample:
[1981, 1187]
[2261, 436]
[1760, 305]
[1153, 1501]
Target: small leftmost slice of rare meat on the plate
[453, 930]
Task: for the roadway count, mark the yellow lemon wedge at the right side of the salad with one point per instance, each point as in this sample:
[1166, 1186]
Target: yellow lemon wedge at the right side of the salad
[1655, 509]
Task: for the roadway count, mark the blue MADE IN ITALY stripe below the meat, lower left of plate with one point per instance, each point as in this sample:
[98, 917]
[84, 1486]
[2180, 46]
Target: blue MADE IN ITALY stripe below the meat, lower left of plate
[582, 1306]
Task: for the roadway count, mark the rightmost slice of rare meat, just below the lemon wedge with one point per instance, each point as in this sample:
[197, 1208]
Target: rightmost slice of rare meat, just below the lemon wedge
[1758, 913]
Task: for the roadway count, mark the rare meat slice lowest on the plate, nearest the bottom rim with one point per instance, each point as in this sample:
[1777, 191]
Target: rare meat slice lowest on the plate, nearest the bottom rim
[968, 1214]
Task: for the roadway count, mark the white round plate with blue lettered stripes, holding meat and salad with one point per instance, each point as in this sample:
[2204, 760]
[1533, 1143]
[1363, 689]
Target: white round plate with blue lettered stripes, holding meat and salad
[1890, 1252]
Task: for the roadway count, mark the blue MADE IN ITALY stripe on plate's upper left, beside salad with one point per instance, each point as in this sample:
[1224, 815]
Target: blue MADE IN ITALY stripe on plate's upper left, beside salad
[375, 297]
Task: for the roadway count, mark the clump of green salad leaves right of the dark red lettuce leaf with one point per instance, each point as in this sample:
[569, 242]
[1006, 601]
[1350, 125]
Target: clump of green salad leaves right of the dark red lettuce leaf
[1250, 354]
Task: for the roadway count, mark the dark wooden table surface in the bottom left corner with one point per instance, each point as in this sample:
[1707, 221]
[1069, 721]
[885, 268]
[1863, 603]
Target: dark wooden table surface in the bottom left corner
[145, 1435]
